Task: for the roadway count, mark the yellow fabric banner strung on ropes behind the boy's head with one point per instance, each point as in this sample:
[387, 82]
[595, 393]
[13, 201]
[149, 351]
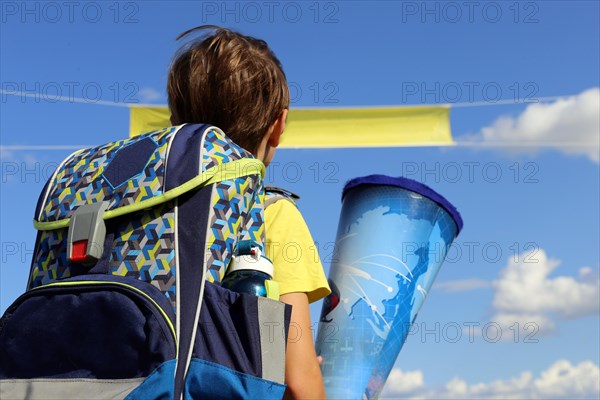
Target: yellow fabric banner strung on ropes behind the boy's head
[338, 127]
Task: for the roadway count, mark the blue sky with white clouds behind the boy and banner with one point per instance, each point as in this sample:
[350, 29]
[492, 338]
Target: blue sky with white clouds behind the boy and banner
[529, 250]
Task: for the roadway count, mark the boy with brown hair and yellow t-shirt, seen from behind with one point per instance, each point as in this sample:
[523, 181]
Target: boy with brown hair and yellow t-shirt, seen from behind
[235, 82]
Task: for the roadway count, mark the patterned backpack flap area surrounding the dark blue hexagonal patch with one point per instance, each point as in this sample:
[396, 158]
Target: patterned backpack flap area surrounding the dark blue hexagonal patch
[78, 183]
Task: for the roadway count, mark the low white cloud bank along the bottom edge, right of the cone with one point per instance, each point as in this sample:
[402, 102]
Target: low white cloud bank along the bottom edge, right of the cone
[561, 380]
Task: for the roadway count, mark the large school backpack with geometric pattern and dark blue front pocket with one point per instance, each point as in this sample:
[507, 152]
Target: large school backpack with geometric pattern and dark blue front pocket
[123, 298]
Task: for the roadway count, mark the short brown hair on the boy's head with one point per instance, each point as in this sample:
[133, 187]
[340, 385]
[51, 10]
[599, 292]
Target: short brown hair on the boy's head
[229, 80]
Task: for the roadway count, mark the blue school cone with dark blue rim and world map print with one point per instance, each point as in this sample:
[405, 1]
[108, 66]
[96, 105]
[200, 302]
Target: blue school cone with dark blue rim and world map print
[392, 239]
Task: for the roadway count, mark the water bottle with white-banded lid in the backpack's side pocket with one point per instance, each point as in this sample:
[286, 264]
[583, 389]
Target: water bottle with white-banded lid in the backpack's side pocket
[248, 270]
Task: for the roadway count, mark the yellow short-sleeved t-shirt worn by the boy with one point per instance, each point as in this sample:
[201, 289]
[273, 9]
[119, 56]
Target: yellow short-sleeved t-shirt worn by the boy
[291, 248]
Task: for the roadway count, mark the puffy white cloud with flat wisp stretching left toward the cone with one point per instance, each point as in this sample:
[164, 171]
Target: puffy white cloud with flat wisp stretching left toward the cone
[527, 298]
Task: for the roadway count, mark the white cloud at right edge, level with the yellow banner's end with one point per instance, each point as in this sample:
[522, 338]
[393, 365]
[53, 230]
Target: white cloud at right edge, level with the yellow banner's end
[571, 124]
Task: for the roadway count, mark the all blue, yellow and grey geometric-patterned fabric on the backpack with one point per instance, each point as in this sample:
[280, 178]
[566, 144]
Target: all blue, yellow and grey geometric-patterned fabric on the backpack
[144, 247]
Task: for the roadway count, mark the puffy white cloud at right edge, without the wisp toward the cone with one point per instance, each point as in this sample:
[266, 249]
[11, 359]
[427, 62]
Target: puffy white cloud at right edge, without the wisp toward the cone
[525, 289]
